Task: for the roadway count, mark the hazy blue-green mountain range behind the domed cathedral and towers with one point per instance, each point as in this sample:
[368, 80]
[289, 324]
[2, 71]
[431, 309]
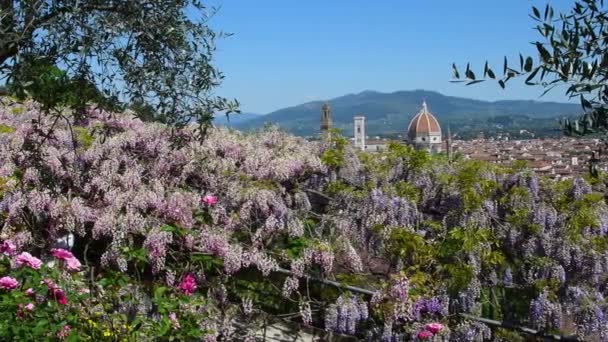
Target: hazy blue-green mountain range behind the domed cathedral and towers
[388, 114]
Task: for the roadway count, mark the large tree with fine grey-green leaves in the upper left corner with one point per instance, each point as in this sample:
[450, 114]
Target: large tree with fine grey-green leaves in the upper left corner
[156, 54]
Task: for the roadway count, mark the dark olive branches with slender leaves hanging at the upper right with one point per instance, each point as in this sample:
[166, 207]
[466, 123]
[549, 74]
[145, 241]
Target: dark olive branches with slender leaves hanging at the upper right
[573, 51]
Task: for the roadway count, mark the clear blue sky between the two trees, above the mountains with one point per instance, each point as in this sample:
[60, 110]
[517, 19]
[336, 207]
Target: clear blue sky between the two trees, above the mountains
[287, 52]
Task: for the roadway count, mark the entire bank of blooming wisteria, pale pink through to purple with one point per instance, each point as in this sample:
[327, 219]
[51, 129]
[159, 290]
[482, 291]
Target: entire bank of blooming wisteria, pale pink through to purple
[431, 238]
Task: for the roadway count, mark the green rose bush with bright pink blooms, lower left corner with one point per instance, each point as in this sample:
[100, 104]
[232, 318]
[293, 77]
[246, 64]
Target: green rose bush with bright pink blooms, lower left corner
[54, 301]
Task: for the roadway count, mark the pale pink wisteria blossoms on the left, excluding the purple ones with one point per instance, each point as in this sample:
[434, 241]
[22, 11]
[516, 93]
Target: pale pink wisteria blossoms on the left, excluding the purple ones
[132, 183]
